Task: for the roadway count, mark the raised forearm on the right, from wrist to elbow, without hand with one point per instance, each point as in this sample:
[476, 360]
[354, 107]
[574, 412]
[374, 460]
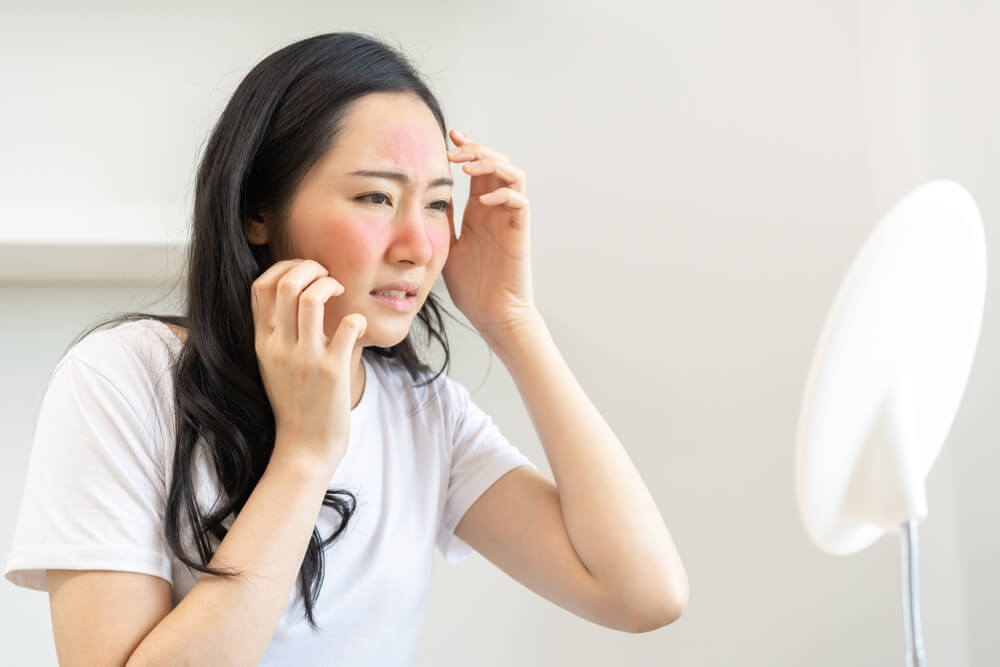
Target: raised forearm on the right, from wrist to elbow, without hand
[609, 513]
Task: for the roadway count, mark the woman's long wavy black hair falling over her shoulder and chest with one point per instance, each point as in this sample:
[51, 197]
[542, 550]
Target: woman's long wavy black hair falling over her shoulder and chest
[284, 116]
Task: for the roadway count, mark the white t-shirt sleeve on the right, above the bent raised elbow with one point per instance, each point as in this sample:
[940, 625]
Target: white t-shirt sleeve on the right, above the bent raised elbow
[480, 455]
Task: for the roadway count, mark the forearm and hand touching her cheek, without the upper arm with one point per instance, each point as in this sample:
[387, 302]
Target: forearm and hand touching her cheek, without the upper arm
[230, 621]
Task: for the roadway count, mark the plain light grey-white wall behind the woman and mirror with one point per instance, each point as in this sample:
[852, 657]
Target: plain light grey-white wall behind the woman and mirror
[700, 174]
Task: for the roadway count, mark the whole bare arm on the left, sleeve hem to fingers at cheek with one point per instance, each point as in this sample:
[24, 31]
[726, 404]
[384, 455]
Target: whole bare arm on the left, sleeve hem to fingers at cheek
[98, 617]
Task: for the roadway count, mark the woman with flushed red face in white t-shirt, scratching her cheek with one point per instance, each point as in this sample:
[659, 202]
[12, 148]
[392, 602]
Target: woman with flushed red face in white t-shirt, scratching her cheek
[184, 468]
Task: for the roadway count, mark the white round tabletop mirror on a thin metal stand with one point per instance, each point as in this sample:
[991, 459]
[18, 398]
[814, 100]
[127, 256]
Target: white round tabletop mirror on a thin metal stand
[888, 375]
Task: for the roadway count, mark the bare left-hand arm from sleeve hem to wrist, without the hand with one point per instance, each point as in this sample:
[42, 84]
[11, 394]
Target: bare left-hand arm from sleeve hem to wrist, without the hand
[118, 618]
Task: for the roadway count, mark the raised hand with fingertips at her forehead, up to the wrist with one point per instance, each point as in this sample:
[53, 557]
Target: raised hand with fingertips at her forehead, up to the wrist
[488, 271]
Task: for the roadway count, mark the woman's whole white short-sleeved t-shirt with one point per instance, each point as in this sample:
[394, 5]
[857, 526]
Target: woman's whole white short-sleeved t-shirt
[101, 462]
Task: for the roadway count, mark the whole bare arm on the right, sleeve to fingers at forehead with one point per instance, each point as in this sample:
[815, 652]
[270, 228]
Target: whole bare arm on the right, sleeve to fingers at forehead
[593, 541]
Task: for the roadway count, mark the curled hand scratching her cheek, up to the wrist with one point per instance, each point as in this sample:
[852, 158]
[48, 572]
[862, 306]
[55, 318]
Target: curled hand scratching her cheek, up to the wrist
[306, 374]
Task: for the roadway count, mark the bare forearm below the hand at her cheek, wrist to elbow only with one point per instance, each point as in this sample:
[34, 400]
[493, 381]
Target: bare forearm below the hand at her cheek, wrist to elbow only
[230, 620]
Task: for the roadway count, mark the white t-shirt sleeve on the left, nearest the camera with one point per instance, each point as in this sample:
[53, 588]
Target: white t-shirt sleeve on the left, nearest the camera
[94, 494]
